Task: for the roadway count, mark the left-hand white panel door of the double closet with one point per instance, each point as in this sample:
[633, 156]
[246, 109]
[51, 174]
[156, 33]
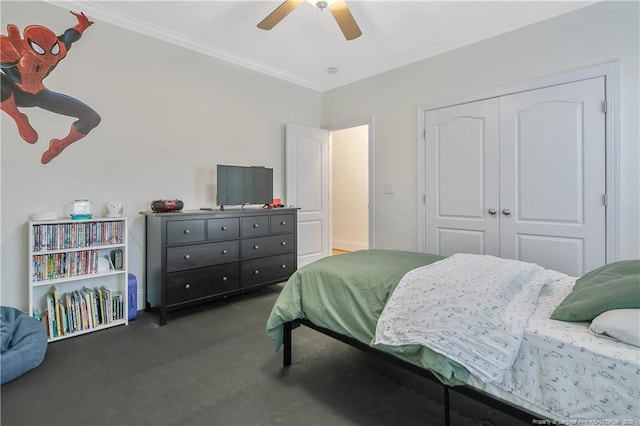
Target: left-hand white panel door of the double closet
[463, 179]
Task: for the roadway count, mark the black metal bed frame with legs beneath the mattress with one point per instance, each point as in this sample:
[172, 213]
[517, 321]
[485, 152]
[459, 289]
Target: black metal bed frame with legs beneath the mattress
[489, 400]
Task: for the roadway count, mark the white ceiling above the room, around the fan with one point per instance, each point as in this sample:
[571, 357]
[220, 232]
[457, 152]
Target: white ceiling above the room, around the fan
[307, 42]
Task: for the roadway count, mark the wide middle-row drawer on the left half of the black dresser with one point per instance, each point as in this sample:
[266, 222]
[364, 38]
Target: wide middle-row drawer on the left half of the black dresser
[199, 255]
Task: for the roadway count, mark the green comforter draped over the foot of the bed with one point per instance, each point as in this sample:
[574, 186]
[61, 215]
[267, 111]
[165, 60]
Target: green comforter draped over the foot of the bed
[347, 293]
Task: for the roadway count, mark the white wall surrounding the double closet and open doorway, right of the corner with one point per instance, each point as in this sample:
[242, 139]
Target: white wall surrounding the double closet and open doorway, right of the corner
[604, 32]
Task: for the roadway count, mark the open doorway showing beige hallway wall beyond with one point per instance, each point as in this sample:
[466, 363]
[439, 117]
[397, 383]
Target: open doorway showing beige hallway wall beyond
[350, 189]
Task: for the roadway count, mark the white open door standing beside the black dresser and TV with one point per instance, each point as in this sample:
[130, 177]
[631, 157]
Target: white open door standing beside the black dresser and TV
[307, 188]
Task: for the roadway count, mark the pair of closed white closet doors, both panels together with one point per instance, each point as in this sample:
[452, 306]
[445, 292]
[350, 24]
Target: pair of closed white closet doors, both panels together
[521, 176]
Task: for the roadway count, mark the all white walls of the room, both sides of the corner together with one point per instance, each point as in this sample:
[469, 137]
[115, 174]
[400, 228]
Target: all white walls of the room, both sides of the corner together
[169, 115]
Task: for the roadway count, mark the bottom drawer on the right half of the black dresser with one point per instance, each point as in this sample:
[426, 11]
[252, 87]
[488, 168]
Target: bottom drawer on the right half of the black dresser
[267, 269]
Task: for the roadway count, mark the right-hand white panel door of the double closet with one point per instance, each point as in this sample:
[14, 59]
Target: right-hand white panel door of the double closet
[552, 176]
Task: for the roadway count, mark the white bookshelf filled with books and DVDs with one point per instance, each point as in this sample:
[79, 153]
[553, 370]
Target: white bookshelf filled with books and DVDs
[71, 260]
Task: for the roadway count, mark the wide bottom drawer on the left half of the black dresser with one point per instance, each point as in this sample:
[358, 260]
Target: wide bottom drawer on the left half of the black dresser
[200, 283]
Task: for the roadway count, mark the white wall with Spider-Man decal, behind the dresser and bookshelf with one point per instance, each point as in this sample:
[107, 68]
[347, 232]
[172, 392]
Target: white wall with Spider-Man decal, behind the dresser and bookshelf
[169, 115]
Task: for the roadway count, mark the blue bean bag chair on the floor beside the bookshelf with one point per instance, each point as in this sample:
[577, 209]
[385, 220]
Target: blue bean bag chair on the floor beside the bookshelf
[23, 343]
